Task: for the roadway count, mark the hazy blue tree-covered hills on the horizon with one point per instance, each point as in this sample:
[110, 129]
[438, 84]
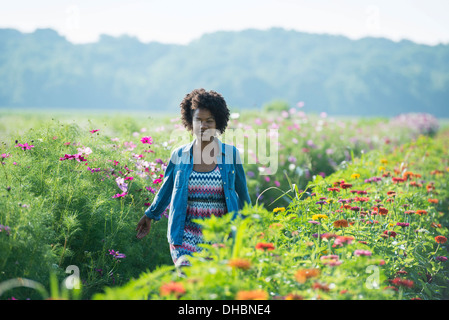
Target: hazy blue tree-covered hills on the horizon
[371, 76]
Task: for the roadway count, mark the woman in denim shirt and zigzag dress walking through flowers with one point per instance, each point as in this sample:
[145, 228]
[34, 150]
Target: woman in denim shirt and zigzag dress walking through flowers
[203, 178]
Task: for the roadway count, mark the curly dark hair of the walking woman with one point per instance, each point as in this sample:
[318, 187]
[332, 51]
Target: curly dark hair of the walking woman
[202, 99]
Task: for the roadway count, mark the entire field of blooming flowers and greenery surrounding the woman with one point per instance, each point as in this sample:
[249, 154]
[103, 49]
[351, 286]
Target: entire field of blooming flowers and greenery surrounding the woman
[357, 209]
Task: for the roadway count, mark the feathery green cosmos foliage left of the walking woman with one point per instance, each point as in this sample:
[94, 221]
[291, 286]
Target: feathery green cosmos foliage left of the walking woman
[62, 214]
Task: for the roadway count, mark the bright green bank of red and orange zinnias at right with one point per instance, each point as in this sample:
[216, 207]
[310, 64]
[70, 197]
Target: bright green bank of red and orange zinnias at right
[310, 261]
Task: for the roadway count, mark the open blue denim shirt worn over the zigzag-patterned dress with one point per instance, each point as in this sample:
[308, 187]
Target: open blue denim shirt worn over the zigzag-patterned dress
[174, 189]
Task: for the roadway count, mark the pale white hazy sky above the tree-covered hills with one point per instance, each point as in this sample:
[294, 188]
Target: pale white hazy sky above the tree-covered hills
[181, 21]
